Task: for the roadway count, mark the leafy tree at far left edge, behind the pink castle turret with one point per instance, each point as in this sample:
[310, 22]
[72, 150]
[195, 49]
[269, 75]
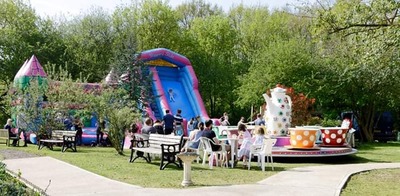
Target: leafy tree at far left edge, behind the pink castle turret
[23, 33]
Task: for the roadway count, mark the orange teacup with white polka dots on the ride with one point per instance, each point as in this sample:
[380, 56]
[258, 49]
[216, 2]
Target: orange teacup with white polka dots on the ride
[301, 137]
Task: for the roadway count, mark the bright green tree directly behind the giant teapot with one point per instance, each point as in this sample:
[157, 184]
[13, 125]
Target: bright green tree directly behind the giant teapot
[285, 56]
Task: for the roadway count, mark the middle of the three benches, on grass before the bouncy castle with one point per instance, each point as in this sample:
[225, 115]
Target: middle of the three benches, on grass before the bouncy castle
[66, 139]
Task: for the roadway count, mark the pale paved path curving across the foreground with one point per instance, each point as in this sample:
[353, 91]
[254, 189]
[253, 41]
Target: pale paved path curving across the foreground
[67, 179]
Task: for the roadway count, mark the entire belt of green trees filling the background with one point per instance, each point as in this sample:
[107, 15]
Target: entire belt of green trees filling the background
[343, 53]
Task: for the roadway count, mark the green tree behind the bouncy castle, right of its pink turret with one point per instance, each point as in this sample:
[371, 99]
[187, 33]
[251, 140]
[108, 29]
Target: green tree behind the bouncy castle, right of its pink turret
[89, 42]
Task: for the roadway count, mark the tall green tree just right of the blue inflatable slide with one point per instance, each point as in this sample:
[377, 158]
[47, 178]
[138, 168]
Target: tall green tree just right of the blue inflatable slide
[215, 62]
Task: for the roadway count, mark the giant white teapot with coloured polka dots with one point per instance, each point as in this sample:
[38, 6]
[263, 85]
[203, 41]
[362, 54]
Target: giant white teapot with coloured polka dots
[279, 110]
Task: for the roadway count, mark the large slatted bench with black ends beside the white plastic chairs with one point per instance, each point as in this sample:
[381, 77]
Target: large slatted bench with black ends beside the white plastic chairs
[168, 146]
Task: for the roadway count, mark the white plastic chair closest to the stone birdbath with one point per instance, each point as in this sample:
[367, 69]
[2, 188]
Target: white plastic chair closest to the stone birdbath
[213, 154]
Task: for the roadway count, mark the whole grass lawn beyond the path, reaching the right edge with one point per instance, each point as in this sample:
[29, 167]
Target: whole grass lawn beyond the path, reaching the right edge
[106, 162]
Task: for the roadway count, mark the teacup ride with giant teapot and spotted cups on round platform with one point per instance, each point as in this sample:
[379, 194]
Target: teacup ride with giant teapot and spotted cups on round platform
[305, 141]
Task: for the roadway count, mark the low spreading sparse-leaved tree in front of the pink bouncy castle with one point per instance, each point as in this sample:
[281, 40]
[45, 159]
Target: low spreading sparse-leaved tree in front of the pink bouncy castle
[45, 106]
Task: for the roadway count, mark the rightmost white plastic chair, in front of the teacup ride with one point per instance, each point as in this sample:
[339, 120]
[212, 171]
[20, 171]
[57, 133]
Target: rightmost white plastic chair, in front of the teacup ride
[262, 151]
